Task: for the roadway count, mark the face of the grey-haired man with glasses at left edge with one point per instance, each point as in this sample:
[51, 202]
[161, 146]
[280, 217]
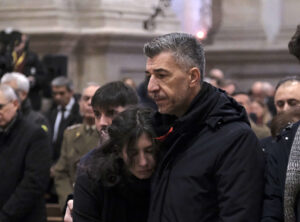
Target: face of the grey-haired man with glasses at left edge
[8, 110]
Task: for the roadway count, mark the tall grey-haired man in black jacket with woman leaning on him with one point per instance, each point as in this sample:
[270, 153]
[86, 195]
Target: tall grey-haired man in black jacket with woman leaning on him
[211, 167]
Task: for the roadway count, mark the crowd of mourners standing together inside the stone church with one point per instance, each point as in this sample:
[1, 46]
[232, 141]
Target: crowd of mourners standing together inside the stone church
[181, 146]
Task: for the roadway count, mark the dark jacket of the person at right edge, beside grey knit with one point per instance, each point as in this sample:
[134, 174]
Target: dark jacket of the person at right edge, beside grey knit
[277, 157]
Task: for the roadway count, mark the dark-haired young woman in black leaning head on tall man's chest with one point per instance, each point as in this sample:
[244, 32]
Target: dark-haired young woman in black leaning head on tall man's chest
[114, 181]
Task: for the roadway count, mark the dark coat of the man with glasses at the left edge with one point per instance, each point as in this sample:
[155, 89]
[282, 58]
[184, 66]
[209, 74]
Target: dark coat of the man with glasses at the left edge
[24, 171]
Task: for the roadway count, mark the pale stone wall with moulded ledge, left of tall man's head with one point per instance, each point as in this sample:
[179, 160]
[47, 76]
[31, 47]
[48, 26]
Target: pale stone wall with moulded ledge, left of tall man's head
[103, 39]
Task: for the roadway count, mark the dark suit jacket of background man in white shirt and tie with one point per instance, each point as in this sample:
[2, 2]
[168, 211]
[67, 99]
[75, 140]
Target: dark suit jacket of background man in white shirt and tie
[72, 119]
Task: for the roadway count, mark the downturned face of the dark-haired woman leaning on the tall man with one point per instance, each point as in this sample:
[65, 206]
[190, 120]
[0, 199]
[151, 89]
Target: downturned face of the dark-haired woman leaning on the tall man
[143, 161]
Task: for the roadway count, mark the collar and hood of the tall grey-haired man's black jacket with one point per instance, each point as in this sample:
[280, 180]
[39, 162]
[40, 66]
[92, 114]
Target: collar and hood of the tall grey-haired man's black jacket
[211, 107]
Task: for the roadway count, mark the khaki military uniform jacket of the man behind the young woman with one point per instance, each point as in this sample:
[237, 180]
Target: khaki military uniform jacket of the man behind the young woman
[77, 141]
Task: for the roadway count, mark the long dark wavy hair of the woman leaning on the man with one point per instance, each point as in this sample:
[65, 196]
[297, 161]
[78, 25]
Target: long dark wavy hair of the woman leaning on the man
[106, 164]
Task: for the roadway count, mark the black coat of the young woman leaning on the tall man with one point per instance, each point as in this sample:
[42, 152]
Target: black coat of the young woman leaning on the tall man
[127, 201]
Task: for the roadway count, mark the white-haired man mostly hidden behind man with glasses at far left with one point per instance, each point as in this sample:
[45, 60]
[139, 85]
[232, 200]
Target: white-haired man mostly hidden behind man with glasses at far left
[21, 85]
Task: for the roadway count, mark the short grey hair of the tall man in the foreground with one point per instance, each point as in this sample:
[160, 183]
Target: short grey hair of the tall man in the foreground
[186, 49]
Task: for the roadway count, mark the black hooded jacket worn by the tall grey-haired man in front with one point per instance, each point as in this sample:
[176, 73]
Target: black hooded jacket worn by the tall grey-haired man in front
[212, 166]
